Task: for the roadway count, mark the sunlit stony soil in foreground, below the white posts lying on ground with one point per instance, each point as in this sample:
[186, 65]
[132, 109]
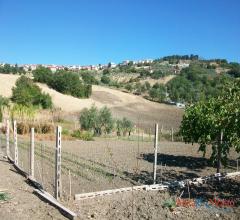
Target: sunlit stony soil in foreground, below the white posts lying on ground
[148, 205]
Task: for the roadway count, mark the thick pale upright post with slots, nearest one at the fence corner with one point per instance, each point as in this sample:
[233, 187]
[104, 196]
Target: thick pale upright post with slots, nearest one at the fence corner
[58, 184]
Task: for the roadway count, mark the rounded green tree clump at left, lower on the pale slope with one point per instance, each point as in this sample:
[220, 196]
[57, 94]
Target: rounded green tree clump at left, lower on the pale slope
[29, 94]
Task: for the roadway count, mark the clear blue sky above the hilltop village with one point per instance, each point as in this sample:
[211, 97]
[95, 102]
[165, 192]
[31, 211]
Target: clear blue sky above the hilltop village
[99, 31]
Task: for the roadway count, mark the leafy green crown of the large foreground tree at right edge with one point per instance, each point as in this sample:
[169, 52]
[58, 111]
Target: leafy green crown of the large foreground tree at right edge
[205, 121]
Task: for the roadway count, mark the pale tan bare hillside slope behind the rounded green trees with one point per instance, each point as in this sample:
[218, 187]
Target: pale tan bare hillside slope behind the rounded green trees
[141, 111]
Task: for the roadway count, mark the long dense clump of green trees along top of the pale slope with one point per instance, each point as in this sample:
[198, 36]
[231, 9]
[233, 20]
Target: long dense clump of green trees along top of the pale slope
[63, 81]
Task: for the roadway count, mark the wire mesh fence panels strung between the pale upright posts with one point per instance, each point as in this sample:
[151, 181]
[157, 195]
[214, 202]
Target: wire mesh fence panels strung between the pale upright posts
[112, 162]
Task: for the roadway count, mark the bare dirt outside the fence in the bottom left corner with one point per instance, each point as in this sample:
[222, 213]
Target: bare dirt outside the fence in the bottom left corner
[23, 204]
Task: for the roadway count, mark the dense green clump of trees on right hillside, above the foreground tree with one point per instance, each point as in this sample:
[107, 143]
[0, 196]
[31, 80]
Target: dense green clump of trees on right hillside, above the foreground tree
[195, 83]
